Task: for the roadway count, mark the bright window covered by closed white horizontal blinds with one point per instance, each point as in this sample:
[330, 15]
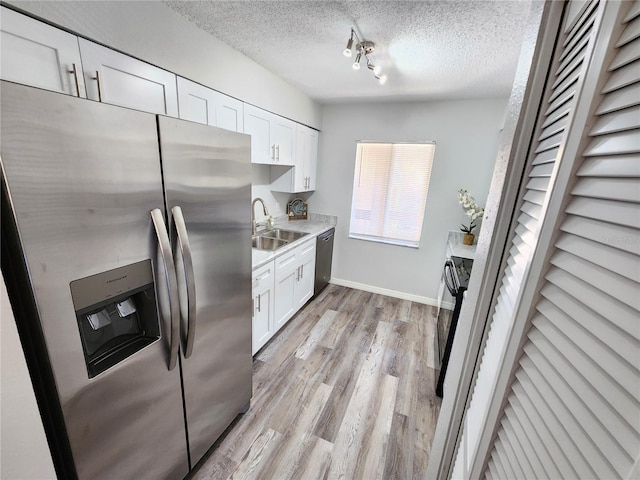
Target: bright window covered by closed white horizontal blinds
[390, 192]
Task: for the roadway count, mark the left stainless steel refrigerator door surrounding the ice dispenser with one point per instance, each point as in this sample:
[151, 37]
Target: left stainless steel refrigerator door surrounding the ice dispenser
[82, 179]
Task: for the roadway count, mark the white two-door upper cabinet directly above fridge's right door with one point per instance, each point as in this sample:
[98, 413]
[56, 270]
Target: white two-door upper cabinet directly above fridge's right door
[204, 105]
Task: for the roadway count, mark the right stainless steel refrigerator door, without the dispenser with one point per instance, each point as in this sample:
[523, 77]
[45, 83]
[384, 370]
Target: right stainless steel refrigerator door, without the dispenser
[207, 174]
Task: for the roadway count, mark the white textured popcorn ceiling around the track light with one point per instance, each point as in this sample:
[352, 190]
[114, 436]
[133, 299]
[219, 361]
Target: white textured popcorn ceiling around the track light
[428, 49]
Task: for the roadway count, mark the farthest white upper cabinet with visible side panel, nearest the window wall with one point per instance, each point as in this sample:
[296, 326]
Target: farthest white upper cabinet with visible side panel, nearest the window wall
[302, 177]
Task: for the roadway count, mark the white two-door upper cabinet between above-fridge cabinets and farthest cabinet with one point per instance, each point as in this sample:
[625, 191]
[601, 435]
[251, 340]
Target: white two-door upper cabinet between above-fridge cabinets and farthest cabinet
[272, 136]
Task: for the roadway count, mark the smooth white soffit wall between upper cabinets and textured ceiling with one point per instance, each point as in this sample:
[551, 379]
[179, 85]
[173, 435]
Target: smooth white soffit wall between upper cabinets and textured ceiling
[153, 32]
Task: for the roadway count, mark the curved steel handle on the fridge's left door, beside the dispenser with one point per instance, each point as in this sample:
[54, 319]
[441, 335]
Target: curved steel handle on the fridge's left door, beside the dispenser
[172, 283]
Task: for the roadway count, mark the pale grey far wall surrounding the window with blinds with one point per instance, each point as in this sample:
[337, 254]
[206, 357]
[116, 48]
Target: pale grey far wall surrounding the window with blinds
[466, 135]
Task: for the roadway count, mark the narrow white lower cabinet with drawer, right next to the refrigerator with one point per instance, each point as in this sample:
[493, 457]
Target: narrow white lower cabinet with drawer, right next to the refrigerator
[263, 293]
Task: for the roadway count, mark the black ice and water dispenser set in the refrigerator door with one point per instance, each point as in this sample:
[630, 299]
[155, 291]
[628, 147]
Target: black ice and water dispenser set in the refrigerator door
[116, 313]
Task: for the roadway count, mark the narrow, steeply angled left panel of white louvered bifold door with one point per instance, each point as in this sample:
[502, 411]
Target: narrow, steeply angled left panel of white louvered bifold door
[556, 113]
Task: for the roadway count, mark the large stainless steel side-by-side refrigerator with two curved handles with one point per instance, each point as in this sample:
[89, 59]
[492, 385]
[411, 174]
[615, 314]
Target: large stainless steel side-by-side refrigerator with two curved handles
[126, 249]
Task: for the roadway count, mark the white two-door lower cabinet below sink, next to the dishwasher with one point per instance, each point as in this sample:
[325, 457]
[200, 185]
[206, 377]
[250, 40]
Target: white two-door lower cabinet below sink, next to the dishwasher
[295, 274]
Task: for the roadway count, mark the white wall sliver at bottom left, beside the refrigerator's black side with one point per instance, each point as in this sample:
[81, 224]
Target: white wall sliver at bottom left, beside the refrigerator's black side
[25, 452]
